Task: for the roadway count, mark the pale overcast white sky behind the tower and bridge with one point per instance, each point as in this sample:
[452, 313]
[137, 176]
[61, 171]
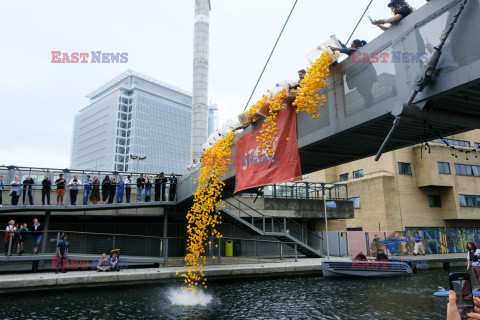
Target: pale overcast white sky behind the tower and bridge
[40, 98]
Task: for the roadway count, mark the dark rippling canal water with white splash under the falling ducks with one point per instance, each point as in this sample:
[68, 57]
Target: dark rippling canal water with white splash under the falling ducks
[280, 298]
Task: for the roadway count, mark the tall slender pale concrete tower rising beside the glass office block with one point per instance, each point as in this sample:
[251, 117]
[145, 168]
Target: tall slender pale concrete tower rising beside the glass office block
[200, 78]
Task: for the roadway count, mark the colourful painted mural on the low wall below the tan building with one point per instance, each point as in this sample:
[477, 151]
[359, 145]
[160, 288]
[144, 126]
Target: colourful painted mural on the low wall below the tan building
[400, 243]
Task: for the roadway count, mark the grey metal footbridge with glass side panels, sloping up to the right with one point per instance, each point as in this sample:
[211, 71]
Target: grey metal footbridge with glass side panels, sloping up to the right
[366, 96]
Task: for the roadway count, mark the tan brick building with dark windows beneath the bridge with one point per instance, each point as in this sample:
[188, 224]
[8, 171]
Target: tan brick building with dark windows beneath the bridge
[434, 186]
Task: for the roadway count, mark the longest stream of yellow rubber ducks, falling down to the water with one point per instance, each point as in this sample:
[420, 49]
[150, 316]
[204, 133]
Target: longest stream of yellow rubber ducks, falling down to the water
[202, 216]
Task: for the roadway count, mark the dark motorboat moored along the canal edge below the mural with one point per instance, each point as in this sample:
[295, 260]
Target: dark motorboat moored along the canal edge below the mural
[365, 268]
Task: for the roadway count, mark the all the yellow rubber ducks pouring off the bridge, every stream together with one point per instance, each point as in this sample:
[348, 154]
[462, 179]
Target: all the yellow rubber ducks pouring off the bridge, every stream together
[203, 217]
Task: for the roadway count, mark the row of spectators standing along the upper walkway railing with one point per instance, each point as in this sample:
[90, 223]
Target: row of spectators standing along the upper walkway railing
[109, 190]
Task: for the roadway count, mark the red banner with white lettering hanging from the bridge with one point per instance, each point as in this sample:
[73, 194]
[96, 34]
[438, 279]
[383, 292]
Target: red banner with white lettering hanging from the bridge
[255, 169]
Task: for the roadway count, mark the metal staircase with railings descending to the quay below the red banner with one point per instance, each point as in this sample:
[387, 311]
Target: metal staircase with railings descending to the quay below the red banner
[283, 229]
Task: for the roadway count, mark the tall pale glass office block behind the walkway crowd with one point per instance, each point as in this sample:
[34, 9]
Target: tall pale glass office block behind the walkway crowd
[134, 115]
